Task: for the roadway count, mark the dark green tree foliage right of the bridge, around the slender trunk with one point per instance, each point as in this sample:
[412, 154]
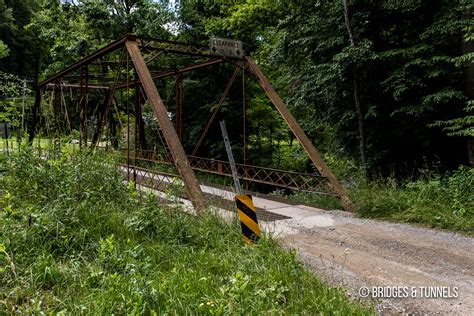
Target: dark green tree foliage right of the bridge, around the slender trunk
[409, 71]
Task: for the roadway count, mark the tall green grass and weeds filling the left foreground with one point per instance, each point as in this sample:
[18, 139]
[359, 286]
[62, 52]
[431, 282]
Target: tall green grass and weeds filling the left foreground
[75, 239]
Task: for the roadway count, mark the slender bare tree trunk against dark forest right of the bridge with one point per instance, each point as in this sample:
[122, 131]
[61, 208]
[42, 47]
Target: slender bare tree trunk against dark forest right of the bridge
[355, 85]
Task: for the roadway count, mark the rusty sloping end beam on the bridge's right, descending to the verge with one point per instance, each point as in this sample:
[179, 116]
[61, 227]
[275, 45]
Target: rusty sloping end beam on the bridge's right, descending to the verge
[311, 151]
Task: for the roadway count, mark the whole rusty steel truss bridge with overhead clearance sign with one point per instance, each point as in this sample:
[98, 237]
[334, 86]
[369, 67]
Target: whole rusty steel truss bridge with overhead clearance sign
[134, 64]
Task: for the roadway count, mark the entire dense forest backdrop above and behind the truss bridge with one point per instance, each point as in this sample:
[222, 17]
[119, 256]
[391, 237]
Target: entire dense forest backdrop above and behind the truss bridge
[386, 83]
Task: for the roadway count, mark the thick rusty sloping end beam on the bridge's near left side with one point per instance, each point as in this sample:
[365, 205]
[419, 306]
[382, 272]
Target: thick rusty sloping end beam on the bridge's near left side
[181, 161]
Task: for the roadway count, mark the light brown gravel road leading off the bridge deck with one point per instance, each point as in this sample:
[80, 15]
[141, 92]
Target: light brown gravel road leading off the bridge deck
[345, 250]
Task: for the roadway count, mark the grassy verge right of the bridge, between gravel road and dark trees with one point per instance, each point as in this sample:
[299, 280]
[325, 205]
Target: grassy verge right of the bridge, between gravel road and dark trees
[443, 202]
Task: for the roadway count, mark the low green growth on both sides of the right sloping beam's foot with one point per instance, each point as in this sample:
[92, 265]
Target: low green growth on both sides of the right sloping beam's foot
[433, 199]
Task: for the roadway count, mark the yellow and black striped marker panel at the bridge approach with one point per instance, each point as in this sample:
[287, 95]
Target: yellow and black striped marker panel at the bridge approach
[248, 218]
